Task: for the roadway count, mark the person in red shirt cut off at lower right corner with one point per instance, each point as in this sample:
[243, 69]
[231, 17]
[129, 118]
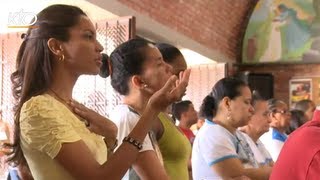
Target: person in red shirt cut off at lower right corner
[300, 155]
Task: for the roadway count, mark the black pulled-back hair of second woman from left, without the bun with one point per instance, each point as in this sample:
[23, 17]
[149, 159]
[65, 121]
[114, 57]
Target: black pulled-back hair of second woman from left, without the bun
[127, 60]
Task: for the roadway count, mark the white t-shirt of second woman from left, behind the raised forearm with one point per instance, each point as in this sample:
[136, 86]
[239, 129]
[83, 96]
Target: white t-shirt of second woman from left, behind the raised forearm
[126, 120]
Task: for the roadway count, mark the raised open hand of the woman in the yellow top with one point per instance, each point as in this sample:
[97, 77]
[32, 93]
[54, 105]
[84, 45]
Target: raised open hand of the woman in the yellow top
[172, 91]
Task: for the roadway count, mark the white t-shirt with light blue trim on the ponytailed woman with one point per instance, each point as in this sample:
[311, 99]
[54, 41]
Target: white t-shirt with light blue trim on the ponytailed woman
[214, 144]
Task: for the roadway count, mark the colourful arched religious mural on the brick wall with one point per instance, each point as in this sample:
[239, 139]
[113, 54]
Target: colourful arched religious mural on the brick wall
[283, 31]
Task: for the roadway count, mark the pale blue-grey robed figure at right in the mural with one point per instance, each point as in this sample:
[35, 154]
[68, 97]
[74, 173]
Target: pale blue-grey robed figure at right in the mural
[296, 33]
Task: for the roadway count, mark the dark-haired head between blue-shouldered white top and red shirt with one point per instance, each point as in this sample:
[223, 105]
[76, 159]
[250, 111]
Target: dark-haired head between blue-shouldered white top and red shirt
[298, 118]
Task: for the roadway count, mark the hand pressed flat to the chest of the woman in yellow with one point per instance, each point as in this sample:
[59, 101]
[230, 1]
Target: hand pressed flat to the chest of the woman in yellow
[96, 123]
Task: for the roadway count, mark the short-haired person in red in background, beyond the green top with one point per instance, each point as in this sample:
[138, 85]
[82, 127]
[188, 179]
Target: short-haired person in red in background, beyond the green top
[187, 115]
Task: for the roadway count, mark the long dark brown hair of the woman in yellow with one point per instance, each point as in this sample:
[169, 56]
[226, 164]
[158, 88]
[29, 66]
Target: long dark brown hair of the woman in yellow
[34, 63]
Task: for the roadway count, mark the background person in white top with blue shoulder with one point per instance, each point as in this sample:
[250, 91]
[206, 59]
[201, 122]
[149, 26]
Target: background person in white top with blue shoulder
[280, 120]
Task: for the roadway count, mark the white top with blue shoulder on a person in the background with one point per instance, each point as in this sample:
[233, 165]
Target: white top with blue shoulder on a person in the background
[273, 140]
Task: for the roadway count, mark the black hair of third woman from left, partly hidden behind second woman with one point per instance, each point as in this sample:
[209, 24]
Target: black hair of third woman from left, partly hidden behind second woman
[169, 52]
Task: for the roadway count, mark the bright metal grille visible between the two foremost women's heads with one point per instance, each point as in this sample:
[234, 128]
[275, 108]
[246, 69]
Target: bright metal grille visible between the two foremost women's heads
[96, 92]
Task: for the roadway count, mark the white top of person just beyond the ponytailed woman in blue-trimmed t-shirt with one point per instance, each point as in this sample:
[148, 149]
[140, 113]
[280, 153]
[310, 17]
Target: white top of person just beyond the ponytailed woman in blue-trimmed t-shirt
[260, 152]
